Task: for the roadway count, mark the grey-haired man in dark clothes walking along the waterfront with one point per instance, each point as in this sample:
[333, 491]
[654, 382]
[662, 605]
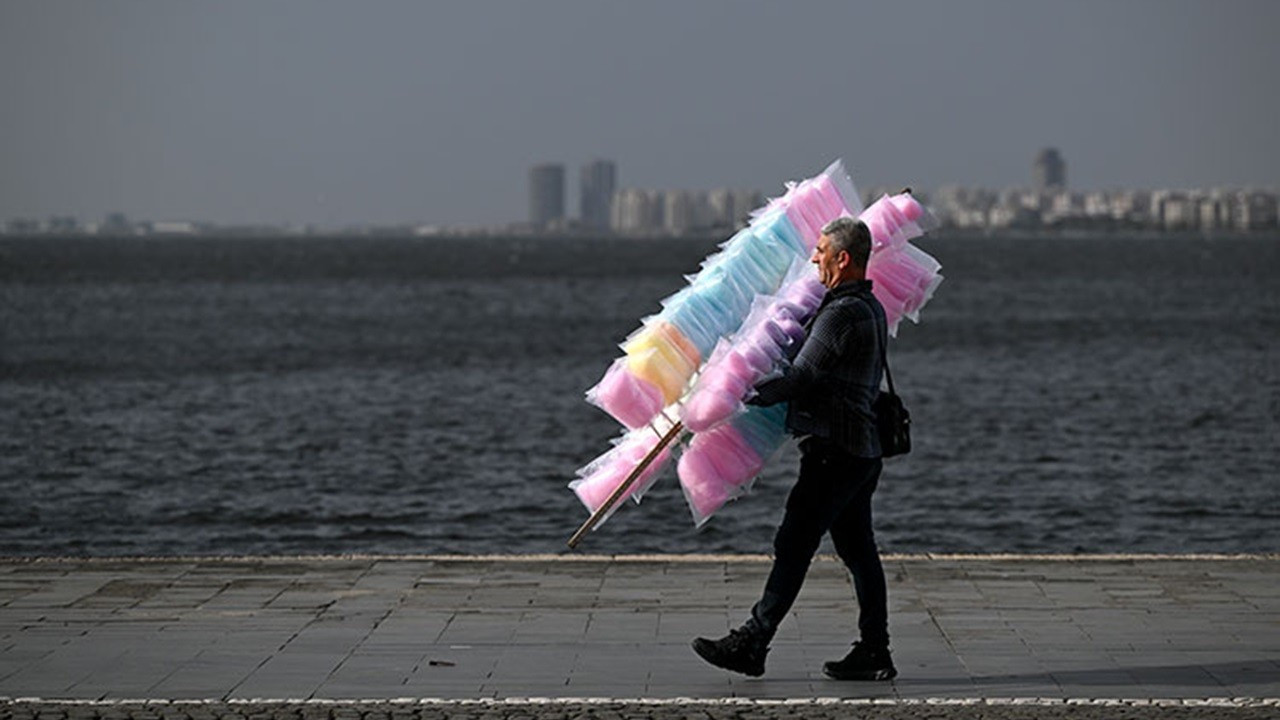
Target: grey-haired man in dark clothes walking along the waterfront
[830, 386]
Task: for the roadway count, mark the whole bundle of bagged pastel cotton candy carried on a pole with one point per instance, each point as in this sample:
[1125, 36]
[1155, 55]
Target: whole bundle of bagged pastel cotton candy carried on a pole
[739, 321]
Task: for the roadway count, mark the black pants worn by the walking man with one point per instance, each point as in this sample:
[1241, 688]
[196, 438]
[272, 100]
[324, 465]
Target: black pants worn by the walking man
[834, 494]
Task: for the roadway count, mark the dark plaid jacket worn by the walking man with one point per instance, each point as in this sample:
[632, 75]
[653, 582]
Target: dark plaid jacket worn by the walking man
[836, 375]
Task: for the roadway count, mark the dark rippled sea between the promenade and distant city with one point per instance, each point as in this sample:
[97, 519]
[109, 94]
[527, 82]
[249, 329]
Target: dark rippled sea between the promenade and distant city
[396, 395]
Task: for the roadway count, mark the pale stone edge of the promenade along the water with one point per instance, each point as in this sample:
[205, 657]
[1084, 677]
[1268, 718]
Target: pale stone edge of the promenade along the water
[646, 558]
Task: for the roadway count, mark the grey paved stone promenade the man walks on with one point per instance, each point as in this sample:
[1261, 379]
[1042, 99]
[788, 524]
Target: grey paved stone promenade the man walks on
[405, 639]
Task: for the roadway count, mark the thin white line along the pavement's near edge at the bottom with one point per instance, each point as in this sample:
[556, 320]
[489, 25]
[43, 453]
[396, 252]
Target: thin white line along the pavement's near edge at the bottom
[674, 701]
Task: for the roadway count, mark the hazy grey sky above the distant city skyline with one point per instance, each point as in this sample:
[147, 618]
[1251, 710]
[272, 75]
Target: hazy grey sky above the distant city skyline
[351, 112]
